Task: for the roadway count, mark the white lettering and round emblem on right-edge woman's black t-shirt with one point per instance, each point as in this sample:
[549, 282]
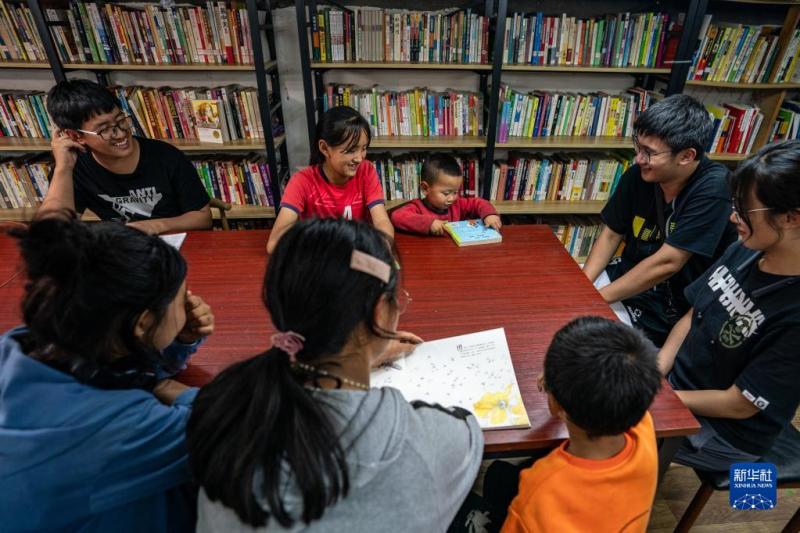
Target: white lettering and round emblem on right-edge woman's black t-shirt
[744, 317]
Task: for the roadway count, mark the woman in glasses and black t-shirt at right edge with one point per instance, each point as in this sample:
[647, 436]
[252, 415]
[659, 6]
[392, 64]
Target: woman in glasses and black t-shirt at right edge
[733, 358]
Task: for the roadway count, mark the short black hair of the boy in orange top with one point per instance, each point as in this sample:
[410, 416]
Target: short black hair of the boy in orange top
[603, 373]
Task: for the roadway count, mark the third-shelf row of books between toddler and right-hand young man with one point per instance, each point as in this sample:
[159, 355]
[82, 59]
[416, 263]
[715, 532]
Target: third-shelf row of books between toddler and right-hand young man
[567, 177]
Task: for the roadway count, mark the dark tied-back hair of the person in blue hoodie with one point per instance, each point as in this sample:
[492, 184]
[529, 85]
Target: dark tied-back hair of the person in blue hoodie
[87, 287]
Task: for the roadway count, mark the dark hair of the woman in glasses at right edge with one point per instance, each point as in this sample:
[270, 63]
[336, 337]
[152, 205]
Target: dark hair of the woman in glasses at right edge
[772, 174]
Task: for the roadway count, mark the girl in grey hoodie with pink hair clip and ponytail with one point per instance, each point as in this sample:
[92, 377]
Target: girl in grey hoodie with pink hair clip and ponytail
[310, 446]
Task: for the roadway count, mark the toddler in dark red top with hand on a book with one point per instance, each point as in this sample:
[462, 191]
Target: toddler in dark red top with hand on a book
[440, 203]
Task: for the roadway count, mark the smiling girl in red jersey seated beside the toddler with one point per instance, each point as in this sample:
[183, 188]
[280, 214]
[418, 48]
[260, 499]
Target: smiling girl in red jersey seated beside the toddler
[339, 183]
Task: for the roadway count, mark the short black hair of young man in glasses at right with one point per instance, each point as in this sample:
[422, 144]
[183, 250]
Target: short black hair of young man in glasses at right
[680, 121]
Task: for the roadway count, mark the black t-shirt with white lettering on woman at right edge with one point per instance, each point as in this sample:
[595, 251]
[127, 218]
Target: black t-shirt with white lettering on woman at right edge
[745, 331]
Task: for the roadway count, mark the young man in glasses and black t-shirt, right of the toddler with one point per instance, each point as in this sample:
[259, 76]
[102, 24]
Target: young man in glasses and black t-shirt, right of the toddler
[671, 209]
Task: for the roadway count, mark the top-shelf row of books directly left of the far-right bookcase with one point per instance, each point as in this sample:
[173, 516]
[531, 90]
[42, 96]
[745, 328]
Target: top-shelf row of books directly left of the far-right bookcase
[624, 40]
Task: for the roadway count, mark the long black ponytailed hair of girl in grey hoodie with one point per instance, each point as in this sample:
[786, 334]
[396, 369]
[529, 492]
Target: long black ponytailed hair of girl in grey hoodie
[257, 415]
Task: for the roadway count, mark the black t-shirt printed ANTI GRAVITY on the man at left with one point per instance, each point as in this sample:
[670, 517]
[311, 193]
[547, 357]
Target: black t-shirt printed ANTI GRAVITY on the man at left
[165, 184]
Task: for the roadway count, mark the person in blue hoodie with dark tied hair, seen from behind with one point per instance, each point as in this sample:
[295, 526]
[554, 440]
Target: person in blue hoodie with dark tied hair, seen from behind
[92, 431]
